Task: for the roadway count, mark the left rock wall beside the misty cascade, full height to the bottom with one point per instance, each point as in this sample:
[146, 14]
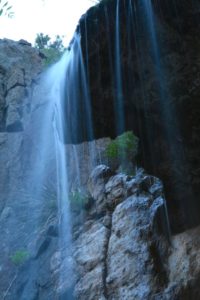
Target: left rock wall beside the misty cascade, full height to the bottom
[20, 66]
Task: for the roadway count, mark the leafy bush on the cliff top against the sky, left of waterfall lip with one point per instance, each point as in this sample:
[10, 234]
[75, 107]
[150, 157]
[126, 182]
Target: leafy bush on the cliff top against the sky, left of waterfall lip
[52, 50]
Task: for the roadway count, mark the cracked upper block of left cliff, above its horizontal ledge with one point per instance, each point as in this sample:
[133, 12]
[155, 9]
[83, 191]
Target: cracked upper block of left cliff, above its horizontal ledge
[19, 66]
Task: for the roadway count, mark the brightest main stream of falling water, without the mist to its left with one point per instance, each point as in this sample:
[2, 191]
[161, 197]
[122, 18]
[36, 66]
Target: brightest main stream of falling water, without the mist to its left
[70, 101]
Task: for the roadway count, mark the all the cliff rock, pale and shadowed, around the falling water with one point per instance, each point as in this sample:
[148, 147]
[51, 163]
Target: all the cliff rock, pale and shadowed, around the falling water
[122, 248]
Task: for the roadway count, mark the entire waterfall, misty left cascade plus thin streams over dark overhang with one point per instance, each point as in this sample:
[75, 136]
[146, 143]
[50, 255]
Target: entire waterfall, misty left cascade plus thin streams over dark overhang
[111, 79]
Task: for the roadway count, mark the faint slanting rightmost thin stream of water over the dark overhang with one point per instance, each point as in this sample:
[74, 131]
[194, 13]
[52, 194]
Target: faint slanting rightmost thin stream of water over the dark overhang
[169, 117]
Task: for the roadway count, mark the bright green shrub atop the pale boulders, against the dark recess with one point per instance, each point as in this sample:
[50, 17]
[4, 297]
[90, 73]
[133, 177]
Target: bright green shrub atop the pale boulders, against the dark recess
[124, 147]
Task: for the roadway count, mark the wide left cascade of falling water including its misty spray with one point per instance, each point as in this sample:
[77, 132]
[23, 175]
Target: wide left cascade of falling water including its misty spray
[51, 163]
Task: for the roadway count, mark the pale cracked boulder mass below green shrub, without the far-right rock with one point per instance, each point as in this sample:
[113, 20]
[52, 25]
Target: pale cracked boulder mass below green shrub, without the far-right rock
[126, 252]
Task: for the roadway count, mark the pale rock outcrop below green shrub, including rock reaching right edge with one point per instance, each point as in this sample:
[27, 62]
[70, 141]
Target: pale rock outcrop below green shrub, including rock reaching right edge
[125, 250]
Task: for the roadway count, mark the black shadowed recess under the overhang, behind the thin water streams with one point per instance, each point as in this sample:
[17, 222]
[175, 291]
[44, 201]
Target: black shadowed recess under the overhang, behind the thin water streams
[177, 29]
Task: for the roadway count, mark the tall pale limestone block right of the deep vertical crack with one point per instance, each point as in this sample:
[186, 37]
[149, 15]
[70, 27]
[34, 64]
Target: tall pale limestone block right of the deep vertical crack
[130, 262]
